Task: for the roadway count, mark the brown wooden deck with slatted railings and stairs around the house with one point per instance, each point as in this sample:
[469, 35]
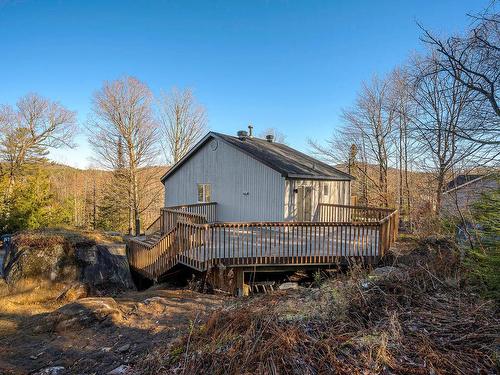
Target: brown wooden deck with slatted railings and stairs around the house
[338, 232]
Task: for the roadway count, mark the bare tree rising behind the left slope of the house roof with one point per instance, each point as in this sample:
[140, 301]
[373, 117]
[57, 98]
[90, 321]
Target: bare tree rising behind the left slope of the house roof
[182, 121]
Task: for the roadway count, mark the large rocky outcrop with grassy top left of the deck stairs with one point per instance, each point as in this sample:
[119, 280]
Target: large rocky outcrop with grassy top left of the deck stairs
[87, 267]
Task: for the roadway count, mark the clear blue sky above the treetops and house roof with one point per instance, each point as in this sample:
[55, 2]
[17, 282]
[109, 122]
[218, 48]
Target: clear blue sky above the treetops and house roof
[291, 65]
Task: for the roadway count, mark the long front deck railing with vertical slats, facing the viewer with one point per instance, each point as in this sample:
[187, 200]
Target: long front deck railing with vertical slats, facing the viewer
[291, 243]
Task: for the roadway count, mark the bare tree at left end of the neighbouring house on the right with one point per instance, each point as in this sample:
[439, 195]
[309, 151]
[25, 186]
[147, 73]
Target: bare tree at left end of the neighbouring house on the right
[441, 109]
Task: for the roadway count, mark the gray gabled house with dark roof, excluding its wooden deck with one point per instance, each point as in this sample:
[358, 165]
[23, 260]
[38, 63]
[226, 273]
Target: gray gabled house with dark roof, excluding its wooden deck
[254, 179]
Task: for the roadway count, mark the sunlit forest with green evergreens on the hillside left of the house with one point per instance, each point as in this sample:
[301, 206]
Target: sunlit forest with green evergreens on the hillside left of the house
[50, 194]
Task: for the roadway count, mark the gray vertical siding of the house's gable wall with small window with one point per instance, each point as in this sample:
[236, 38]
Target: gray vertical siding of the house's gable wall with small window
[232, 175]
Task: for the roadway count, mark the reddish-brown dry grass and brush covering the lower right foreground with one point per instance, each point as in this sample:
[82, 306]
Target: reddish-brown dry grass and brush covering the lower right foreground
[415, 321]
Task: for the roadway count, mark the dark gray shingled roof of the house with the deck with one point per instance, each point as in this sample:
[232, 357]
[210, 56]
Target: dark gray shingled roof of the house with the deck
[282, 158]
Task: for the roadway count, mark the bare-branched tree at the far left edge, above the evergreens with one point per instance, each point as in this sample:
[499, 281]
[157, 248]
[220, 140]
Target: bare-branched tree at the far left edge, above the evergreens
[29, 131]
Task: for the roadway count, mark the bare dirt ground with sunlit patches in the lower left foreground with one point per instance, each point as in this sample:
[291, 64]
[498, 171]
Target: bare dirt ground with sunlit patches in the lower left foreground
[92, 335]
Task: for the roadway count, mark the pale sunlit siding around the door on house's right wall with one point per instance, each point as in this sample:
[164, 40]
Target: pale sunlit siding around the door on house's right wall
[339, 192]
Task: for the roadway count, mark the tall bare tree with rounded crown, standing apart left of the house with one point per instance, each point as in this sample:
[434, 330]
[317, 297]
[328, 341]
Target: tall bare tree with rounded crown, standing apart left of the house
[124, 136]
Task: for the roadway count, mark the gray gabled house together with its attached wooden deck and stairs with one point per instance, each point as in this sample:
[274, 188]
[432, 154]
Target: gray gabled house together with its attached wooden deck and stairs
[244, 202]
